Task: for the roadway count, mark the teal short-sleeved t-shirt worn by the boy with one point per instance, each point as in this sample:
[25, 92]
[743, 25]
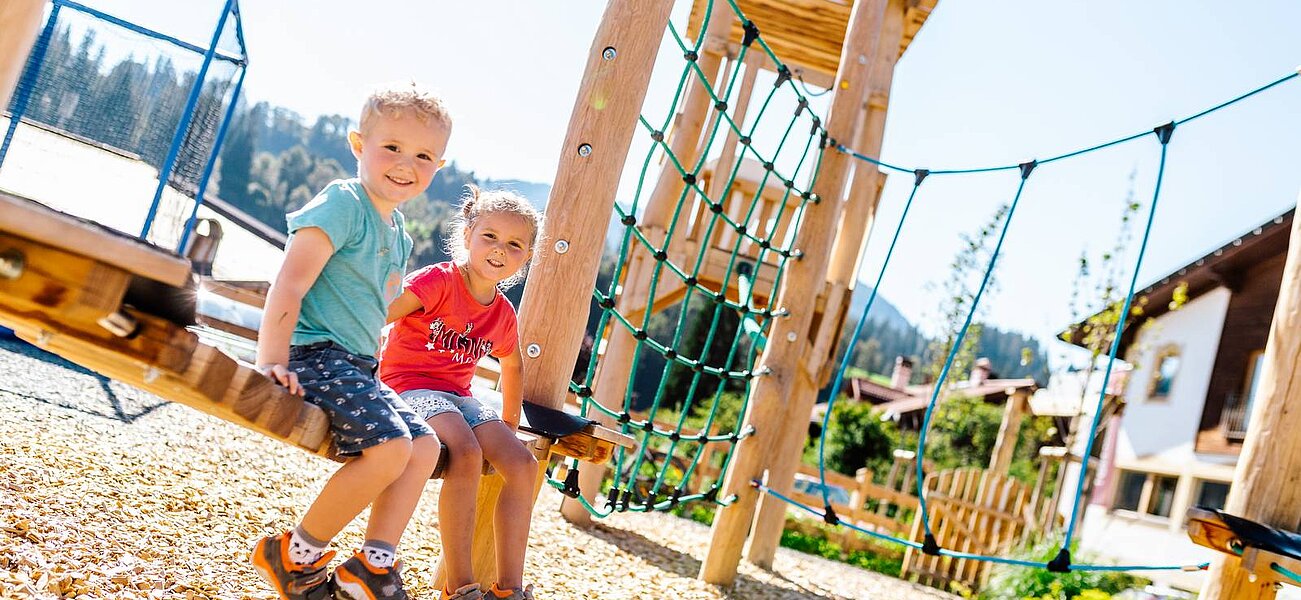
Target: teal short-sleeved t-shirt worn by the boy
[349, 301]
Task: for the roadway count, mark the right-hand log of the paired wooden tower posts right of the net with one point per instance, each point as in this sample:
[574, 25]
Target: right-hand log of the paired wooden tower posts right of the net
[861, 208]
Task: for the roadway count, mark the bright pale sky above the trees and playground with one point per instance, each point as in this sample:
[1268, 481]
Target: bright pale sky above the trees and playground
[984, 84]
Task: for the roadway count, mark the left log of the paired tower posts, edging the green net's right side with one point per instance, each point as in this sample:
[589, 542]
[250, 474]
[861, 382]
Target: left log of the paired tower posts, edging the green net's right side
[790, 340]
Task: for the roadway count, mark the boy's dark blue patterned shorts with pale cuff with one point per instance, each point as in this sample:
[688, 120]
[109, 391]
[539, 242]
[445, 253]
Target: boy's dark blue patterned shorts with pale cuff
[364, 413]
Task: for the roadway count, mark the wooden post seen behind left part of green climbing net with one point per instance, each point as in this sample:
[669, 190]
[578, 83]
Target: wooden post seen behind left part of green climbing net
[612, 379]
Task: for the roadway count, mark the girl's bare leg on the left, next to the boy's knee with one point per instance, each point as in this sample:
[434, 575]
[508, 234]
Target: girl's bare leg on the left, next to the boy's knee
[457, 498]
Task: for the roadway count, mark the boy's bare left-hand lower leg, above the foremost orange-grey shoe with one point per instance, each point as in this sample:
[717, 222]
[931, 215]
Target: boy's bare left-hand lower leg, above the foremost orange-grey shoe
[355, 487]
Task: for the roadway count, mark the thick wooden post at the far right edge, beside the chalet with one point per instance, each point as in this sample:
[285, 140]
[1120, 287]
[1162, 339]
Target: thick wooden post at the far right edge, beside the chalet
[1268, 484]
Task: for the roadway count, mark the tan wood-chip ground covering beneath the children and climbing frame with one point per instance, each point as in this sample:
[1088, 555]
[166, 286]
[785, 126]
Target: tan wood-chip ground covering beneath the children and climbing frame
[114, 494]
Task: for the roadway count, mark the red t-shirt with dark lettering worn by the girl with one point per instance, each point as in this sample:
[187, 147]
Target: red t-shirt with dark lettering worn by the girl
[436, 348]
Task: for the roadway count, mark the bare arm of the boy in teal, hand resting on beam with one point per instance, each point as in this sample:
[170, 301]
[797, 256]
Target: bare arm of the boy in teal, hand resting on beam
[305, 258]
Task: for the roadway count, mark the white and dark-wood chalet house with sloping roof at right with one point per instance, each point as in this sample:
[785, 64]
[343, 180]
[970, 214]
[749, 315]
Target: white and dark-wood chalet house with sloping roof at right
[1194, 372]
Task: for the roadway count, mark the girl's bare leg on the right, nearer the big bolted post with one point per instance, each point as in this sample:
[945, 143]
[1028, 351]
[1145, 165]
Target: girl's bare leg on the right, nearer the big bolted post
[516, 503]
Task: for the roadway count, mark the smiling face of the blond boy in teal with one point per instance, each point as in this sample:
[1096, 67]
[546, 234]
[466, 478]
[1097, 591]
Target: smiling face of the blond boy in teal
[397, 157]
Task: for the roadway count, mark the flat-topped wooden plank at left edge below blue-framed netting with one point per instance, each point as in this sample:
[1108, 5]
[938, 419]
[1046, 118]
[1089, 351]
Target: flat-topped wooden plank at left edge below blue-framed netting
[36, 222]
